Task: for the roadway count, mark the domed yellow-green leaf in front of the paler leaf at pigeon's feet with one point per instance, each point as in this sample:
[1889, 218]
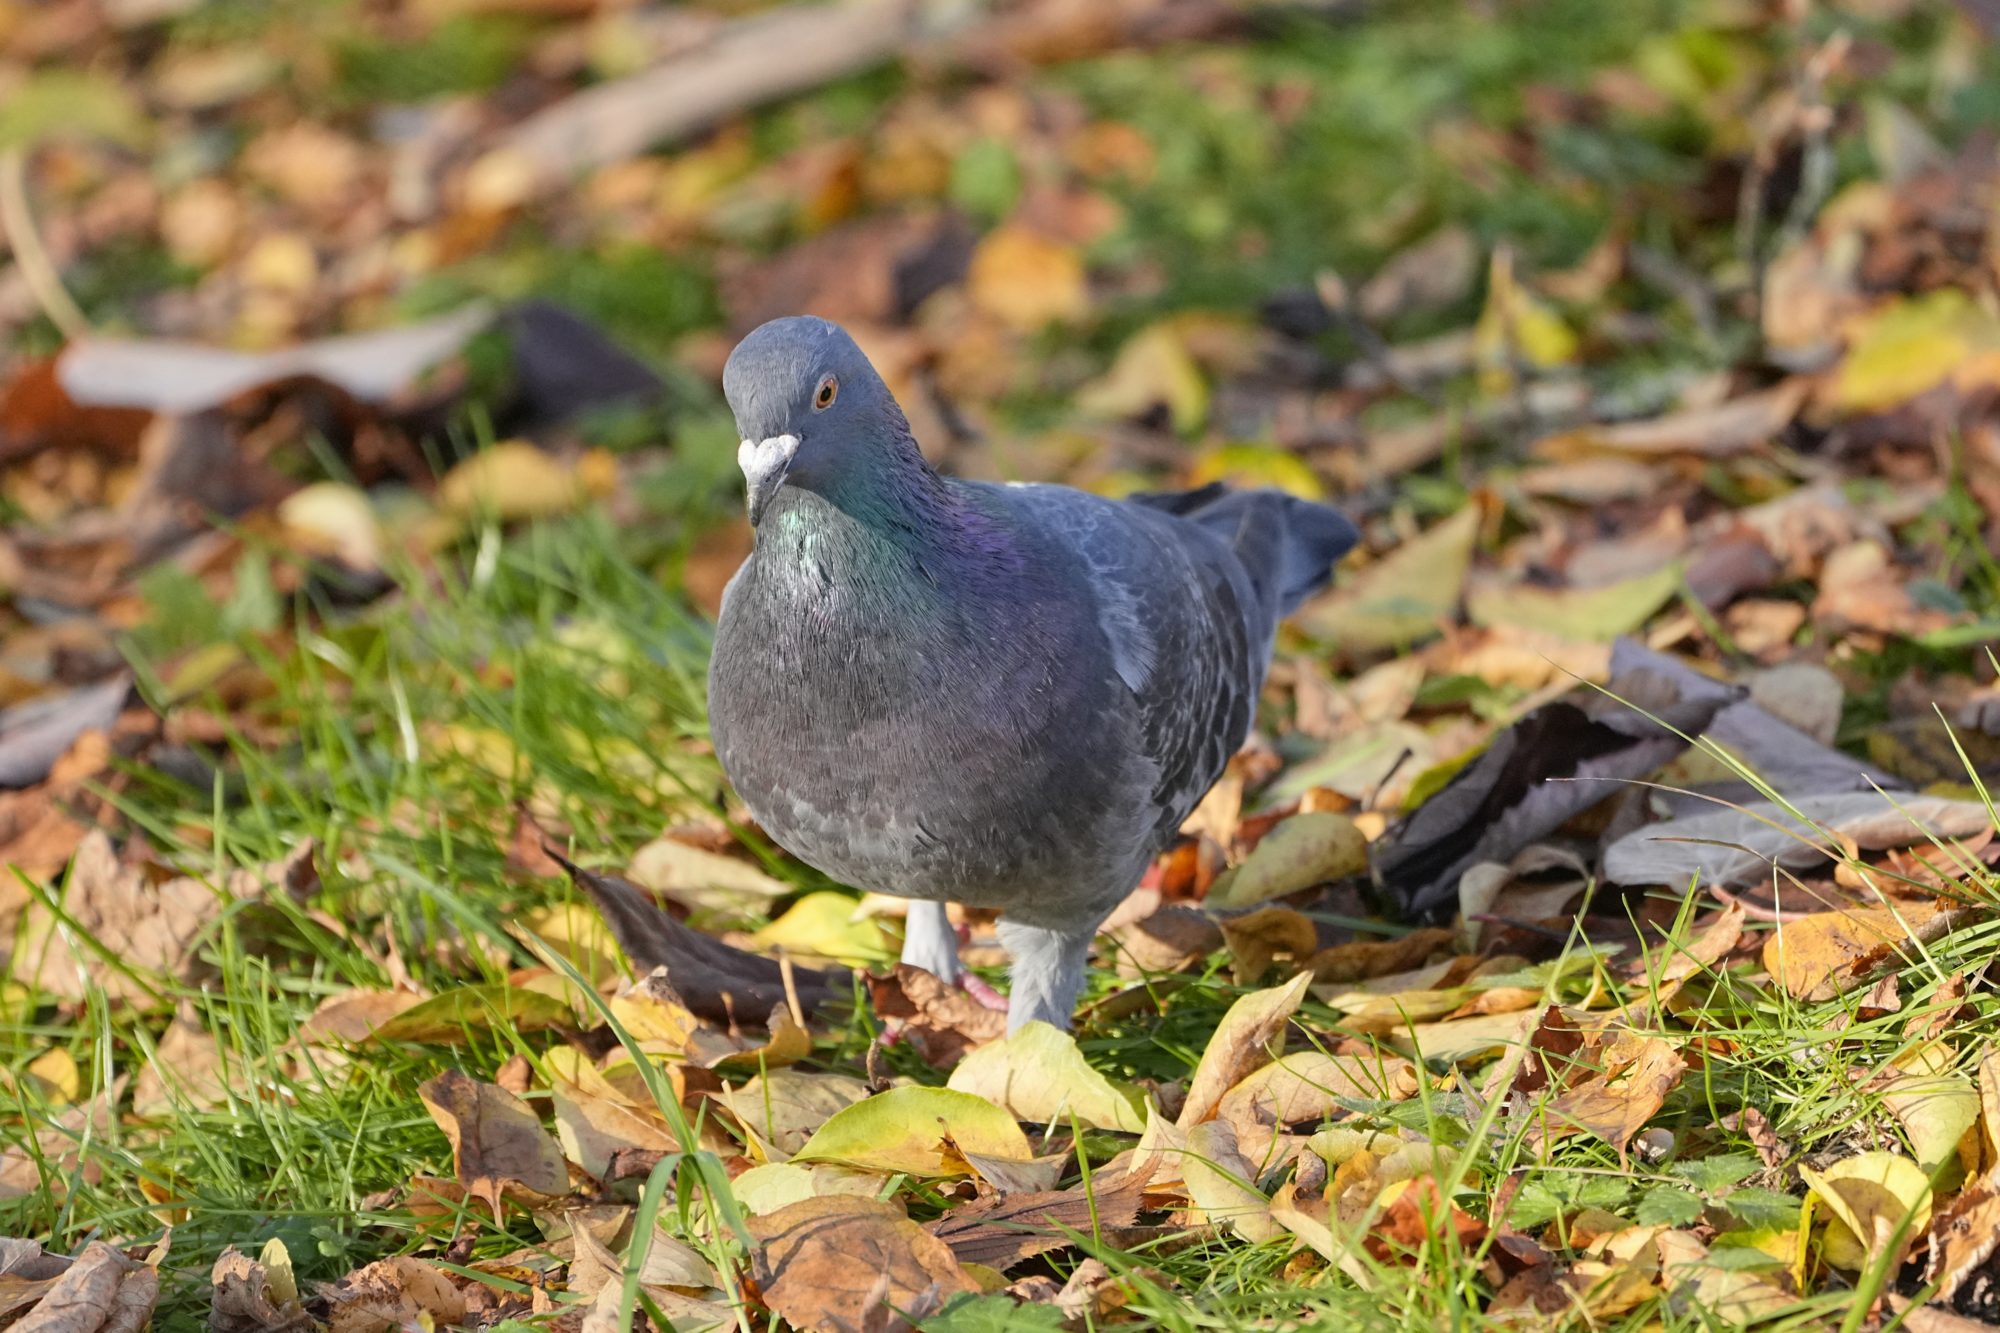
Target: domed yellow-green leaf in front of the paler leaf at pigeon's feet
[923, 1132]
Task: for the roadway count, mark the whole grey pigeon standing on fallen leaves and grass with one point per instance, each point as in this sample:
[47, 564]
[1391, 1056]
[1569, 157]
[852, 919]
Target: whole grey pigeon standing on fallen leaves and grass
[999, 696]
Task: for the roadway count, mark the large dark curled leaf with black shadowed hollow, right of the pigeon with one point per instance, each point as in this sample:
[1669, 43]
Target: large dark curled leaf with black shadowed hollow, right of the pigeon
[1507, 800]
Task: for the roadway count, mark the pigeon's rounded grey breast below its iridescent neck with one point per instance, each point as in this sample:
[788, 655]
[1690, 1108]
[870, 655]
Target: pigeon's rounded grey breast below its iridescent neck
[929, 748]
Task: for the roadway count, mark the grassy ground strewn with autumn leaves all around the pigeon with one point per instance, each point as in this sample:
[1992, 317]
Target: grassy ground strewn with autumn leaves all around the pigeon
[1597, 930]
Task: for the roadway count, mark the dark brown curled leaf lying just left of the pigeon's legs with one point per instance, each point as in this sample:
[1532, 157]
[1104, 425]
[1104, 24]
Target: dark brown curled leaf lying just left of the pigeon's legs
[713, 980]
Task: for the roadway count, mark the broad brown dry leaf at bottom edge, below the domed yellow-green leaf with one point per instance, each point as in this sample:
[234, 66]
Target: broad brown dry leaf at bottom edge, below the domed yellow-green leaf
[851, 1264]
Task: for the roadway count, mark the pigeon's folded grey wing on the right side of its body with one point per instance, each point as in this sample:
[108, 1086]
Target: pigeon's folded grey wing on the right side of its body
[1185, 627]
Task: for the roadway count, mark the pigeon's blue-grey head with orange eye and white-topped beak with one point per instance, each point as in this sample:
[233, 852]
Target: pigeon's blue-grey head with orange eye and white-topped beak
[807, 405]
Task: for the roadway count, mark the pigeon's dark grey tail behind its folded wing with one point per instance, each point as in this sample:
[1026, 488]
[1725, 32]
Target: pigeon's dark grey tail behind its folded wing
[1289, 545]
